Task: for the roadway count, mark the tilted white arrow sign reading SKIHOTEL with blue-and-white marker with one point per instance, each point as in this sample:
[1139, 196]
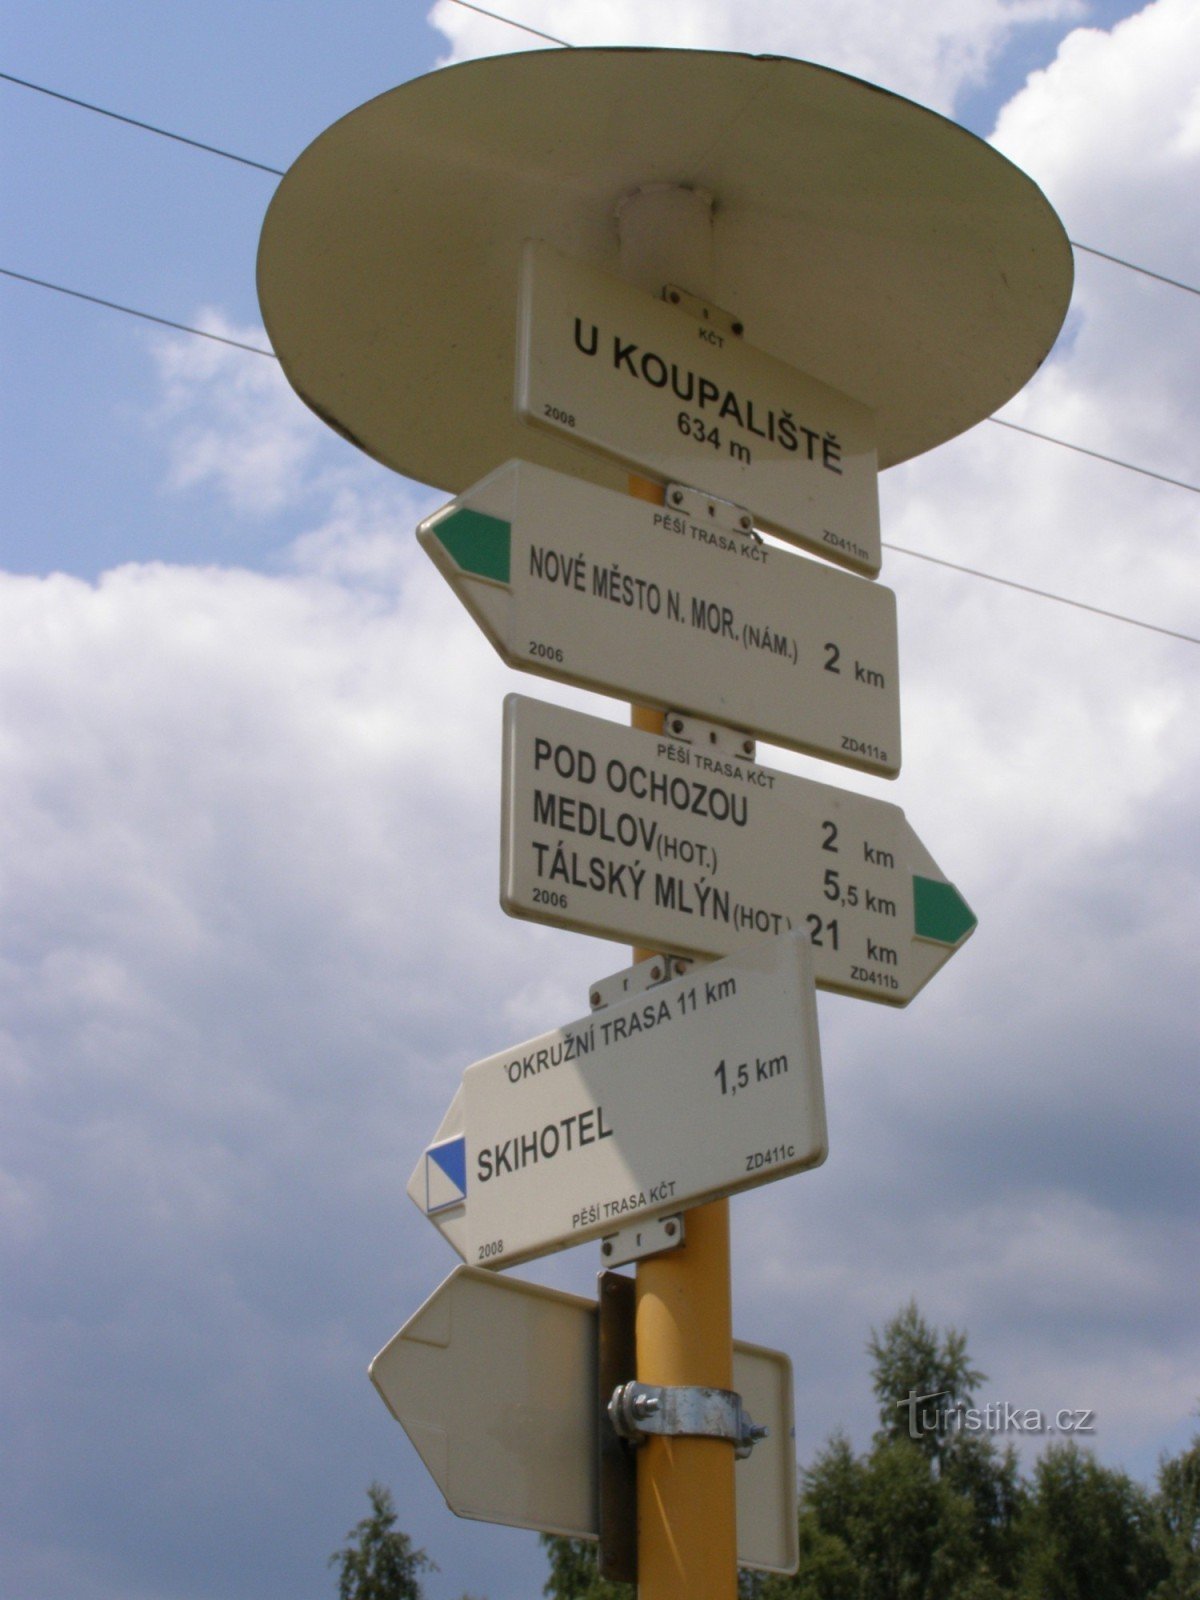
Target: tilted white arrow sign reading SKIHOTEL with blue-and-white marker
[695, 1089]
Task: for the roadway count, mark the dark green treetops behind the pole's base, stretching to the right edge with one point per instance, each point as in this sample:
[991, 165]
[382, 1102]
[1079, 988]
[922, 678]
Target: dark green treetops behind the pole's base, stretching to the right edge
[935, 1511]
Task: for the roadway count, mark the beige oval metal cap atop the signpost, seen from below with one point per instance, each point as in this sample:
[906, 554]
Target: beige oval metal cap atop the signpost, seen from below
[858, 238]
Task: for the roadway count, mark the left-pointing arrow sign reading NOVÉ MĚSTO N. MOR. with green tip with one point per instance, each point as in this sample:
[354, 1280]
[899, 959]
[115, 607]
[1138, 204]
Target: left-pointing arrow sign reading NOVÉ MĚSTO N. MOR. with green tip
[657, 604]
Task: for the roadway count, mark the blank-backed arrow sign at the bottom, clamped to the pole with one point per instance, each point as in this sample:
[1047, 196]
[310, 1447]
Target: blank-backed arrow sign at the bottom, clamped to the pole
[495, 1383]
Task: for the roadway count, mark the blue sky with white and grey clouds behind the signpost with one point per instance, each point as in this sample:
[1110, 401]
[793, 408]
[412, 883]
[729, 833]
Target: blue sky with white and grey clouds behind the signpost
[250, 761]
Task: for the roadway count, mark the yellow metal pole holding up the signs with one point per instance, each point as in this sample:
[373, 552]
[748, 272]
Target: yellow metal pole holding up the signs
[687, 1521]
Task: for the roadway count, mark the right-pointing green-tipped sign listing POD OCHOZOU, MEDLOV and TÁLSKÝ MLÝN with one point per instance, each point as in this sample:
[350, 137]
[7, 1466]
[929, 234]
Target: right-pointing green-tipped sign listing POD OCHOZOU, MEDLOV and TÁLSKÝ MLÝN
[646, 839]
